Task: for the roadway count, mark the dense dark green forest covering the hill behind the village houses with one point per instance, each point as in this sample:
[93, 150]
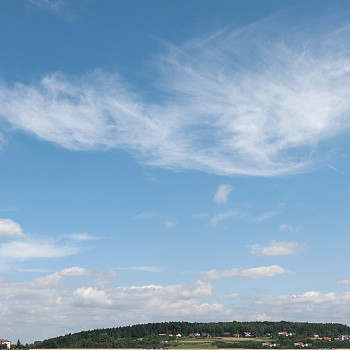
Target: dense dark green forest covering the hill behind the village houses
[151, 335]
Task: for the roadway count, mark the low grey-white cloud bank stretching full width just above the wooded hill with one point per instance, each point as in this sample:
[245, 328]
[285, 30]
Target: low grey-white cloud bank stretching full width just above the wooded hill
[51, 304]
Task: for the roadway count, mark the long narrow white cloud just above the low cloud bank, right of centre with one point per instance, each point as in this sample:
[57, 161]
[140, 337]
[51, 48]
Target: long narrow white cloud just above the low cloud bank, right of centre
[252, 273]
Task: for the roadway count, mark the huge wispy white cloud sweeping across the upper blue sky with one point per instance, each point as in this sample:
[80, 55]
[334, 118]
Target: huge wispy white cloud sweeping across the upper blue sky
[239, 102]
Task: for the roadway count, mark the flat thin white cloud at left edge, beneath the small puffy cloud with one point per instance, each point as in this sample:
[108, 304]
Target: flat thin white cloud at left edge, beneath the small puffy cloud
[30, 249]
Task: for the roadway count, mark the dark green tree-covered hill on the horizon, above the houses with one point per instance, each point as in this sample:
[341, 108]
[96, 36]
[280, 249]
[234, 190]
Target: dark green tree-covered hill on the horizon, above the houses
[128, 336]
